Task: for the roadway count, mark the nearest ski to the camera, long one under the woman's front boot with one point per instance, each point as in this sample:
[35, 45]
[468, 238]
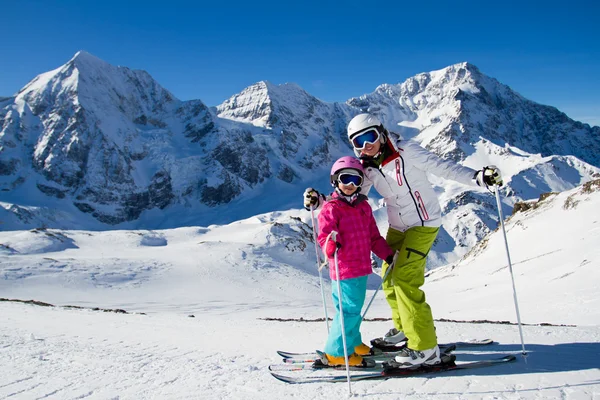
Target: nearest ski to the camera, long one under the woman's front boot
[396, 372]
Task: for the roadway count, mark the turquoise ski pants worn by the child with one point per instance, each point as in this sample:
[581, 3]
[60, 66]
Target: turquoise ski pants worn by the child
[353, 297]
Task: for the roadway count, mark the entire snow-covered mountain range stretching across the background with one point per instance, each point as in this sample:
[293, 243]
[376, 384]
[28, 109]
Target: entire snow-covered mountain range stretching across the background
[94, 146]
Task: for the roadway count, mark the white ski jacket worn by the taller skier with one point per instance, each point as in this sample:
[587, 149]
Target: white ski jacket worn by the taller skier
[401, 180]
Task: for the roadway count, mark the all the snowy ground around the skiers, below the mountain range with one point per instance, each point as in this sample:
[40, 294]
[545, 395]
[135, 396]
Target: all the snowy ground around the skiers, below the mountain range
[198, 299]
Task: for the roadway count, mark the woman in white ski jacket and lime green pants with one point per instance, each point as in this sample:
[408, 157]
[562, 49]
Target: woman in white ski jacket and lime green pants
[398, 170]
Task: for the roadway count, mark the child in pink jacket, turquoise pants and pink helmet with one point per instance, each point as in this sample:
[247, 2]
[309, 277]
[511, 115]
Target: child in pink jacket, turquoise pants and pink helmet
[349, 214]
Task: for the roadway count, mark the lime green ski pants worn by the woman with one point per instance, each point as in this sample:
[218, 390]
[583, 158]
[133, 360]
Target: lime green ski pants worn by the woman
[410, 312]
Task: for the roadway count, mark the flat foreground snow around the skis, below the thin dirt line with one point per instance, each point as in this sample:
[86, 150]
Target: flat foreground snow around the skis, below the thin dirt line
[58, 353]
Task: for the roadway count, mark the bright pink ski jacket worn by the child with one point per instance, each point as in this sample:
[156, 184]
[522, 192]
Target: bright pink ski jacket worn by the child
[357, 233]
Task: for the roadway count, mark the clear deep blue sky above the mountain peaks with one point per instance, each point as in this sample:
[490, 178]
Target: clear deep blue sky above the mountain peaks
[548, 51]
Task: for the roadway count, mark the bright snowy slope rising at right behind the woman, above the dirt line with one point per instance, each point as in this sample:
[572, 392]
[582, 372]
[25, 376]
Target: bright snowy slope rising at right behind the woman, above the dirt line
[555, 255]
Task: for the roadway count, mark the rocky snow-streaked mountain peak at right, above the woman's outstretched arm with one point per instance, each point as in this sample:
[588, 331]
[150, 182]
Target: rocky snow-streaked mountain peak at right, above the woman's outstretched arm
[454, 108]
